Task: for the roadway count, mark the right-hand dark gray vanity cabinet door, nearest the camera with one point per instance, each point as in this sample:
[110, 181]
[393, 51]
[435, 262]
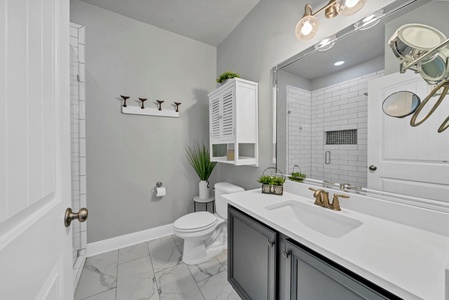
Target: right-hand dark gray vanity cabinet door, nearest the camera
[308, 275]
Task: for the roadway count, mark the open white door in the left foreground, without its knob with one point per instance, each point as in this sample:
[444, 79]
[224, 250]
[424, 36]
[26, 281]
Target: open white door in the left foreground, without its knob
[35, 246]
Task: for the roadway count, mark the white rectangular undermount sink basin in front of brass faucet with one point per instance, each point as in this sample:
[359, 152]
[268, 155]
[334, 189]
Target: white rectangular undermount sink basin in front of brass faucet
[327, 222]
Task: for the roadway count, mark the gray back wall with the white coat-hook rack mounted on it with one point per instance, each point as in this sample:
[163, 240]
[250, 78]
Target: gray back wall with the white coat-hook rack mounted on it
[128, 154]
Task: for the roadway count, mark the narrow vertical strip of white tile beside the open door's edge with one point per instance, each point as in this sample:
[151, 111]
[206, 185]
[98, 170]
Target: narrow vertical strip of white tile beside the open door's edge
[78, 143]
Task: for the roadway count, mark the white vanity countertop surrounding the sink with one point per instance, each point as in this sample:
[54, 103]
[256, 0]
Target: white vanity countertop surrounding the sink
[409, 262]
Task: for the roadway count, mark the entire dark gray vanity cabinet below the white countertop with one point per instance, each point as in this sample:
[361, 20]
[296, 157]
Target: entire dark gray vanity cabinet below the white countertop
[266, 264]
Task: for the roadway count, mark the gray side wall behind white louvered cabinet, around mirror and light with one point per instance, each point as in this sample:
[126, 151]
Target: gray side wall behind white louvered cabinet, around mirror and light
[262, 40]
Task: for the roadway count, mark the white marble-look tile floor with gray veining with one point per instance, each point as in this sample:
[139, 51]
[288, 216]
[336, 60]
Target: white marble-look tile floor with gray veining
[153, 270]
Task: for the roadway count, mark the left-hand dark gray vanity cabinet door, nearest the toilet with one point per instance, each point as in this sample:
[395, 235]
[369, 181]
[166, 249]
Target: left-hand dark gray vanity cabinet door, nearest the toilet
[251, 257]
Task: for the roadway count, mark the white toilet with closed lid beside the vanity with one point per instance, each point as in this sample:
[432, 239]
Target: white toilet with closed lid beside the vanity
[205, 234]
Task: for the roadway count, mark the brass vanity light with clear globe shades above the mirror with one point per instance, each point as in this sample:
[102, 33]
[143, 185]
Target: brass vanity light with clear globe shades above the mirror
[308, 25]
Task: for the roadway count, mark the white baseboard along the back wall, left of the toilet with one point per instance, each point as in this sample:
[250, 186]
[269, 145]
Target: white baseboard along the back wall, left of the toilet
[128, 240]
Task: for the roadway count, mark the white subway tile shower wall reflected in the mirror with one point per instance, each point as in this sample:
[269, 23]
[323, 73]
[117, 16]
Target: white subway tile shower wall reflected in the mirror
[310, 114]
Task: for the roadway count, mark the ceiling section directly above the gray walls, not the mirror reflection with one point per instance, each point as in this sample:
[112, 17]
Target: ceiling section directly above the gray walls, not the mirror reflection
[207, 21]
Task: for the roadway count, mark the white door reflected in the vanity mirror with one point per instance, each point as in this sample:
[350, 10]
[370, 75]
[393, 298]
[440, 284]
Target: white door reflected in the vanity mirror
[410, 160]
